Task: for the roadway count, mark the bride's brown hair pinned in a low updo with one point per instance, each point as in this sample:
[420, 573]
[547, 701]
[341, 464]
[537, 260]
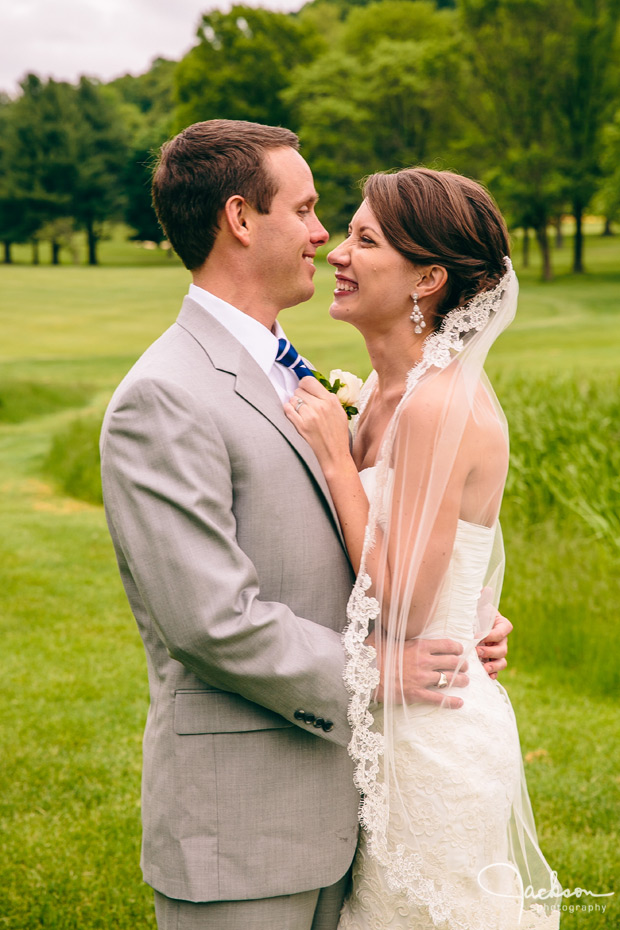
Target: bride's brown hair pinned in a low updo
[438, 217]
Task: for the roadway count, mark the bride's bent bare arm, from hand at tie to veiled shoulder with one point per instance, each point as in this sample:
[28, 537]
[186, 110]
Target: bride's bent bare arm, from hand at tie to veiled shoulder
[398, 555]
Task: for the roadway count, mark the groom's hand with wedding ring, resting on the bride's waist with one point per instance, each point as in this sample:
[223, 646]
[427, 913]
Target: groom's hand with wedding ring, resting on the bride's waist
[423, 662]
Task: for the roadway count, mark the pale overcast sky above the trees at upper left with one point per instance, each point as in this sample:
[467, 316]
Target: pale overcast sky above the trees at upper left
[102, 38]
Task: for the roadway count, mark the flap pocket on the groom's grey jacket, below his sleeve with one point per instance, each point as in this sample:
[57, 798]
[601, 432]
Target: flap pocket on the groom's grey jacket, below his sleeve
[221, 712]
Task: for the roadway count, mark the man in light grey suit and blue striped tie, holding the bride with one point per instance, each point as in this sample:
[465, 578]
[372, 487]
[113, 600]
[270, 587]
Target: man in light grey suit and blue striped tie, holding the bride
[233, 561]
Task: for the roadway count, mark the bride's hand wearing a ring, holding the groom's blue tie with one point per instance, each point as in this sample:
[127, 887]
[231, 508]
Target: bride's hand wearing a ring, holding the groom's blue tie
[319, 417]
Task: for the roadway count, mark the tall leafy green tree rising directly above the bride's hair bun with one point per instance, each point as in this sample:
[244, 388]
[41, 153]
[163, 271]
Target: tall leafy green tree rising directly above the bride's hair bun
[510, 101]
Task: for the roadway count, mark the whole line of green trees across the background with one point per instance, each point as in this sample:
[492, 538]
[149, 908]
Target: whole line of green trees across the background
[523, 95]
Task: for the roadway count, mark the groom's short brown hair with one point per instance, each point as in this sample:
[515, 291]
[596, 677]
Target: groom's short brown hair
[201, 168]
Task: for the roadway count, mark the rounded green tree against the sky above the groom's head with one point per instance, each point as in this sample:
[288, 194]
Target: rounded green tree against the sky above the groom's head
[241, 64]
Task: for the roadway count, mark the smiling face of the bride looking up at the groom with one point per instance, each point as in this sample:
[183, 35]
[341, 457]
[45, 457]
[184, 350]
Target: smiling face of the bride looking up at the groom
[374, 282]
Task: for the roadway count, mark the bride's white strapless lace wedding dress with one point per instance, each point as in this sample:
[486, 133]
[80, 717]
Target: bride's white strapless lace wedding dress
[457, 774]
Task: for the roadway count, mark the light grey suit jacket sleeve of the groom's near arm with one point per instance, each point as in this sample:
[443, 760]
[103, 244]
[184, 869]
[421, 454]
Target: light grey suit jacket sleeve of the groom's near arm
[169, 499]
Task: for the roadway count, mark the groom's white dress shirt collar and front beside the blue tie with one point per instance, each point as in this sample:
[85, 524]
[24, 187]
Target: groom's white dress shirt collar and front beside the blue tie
[261, 343]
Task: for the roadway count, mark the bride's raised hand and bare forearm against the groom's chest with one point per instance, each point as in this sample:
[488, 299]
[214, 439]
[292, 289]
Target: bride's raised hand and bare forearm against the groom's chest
[322, 422]
